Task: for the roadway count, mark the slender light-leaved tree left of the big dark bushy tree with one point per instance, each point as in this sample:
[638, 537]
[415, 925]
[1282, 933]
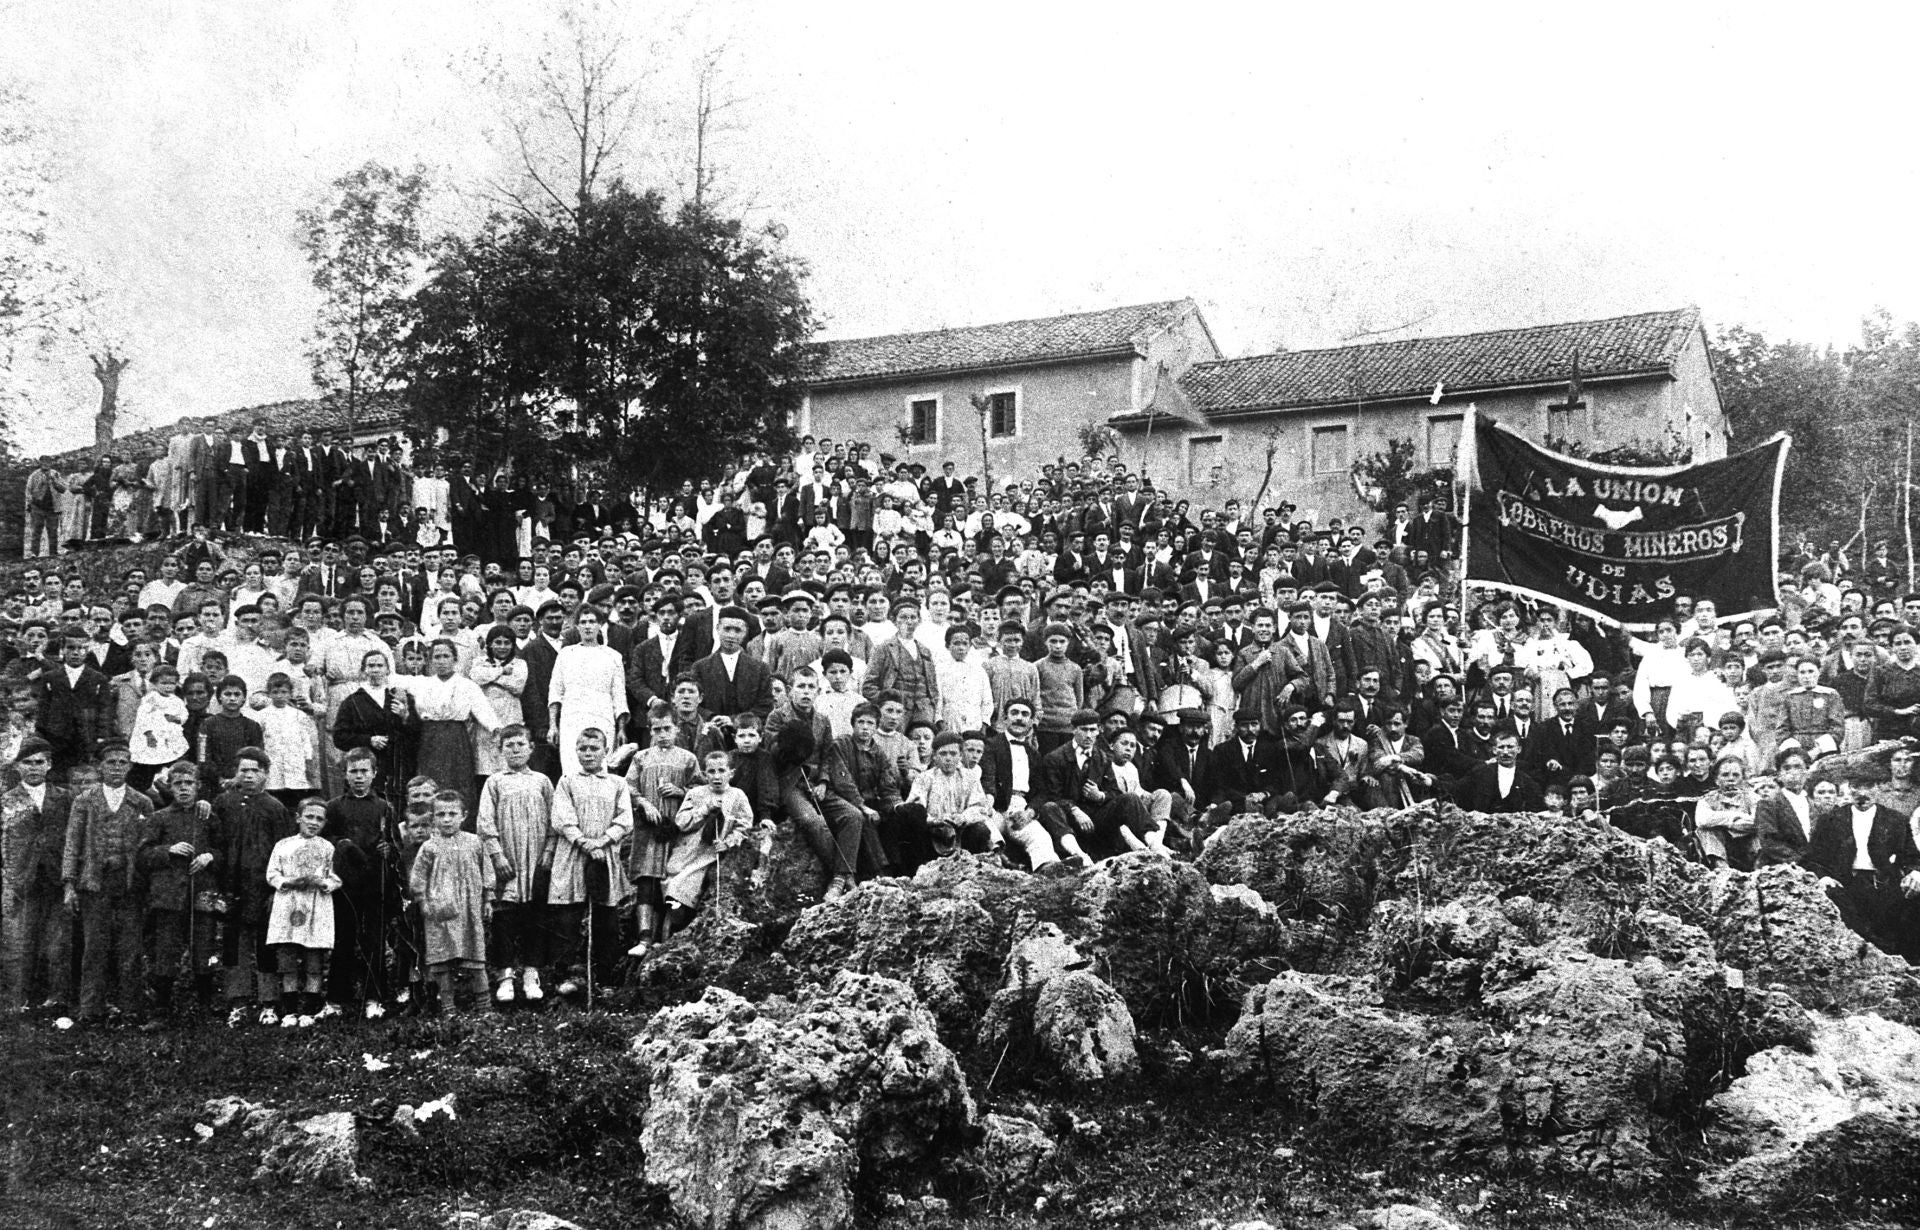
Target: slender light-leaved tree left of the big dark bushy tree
[364, 247]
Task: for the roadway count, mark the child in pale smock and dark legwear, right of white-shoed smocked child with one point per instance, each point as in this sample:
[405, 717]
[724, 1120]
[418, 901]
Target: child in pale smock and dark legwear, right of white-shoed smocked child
[592, 816]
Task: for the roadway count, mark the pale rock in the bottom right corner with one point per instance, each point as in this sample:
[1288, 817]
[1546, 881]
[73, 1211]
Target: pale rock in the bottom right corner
[1840, 1124]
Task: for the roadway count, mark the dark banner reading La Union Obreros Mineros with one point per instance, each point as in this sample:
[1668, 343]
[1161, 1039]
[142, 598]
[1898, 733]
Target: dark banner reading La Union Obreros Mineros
[1621, 542]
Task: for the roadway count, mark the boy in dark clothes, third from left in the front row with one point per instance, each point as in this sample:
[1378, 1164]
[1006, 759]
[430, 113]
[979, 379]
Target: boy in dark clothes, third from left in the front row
[178, 859]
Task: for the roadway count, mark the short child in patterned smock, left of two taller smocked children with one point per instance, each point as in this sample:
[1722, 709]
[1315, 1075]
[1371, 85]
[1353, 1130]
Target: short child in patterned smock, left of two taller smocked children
[454, 886]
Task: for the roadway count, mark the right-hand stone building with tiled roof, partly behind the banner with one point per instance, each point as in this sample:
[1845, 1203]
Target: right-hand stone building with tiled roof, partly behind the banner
[1643, 379]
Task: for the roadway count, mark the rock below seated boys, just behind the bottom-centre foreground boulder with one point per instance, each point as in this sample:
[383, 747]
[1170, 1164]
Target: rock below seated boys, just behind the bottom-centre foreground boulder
[948, 949]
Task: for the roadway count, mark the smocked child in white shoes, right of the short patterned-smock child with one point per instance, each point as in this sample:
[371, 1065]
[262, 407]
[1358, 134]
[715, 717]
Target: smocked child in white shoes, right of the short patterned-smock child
[517, 832]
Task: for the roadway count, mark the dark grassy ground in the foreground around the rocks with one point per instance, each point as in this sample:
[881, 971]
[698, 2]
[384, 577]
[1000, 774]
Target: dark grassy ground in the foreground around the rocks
[101, 1133]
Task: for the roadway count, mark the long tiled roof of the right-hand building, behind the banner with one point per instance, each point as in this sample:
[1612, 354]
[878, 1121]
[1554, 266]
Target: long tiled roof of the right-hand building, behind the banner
[1466, 364]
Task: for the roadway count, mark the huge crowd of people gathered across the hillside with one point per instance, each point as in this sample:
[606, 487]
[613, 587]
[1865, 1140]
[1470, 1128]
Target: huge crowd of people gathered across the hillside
[494, 745]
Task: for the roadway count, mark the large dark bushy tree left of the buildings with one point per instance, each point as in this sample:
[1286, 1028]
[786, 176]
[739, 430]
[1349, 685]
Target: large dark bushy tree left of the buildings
[612, 337]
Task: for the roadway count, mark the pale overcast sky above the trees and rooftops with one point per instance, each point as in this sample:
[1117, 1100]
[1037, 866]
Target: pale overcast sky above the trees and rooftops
[1305, 172]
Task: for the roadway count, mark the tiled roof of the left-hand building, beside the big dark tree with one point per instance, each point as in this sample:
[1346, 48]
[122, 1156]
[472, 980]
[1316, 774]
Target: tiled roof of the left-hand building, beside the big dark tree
[984, 346]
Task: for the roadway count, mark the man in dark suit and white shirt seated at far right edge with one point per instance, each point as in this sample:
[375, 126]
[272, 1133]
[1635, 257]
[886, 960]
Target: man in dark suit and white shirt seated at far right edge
[1861, 853]
